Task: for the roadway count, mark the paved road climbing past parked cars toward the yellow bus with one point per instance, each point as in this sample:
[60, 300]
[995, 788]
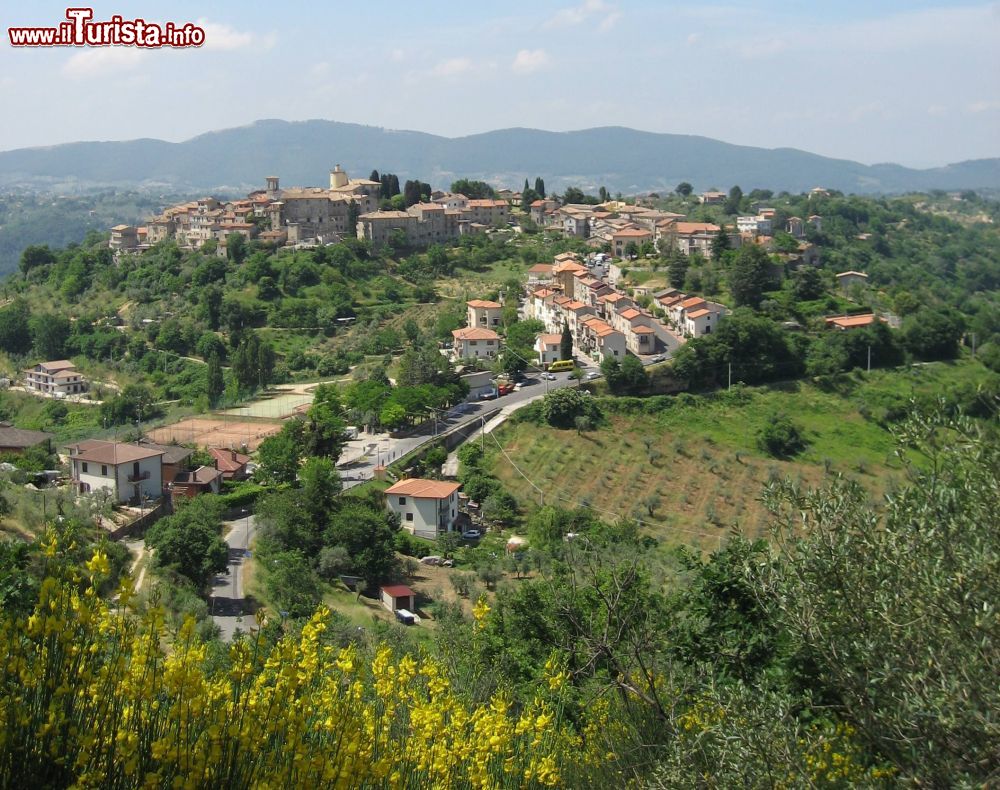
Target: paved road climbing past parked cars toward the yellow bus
[359, 468]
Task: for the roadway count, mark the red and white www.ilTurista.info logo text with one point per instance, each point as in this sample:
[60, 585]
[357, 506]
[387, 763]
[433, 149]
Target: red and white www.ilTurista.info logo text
[80, 31]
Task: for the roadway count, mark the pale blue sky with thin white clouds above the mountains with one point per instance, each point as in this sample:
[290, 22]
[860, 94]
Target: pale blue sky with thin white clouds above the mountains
[915, 82]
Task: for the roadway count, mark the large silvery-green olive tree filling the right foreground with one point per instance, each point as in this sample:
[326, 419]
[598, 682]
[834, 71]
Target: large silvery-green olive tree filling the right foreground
[902, 645]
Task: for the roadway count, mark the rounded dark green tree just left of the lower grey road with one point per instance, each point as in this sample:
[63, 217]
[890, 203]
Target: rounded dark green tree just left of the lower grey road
[189, 541]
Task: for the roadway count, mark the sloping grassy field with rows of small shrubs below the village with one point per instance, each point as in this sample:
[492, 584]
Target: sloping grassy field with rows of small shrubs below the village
[691, 469]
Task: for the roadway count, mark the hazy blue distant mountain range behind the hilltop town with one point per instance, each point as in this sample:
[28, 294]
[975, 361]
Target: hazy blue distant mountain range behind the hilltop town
[623, 160]
